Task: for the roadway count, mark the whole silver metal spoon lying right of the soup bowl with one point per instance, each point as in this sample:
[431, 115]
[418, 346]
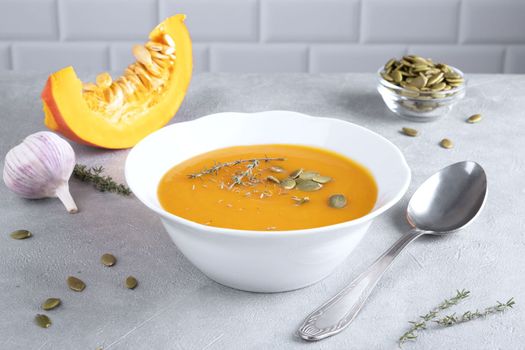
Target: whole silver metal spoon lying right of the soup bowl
[448, 201]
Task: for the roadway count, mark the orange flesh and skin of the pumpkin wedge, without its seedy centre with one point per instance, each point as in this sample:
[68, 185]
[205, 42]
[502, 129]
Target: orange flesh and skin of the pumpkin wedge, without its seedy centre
[67, 112]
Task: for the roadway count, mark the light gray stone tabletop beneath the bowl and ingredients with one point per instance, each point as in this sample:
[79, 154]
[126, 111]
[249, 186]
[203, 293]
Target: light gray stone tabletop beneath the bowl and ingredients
[176, 307]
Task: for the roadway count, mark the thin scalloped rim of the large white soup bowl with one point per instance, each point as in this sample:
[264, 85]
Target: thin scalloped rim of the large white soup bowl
[201, 228]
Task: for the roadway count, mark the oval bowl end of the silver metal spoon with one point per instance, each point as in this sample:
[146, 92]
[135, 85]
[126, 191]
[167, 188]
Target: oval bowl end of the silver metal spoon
[449, 200]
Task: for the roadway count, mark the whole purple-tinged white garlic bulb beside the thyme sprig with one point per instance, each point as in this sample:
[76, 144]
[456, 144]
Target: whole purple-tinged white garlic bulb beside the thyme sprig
[40, 167]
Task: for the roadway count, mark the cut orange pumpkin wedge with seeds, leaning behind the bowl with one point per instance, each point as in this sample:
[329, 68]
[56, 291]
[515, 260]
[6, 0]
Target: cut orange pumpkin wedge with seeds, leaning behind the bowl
[118, 113]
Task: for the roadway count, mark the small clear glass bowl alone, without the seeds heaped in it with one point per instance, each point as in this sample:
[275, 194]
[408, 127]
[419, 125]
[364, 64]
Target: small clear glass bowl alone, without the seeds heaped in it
[420, 106]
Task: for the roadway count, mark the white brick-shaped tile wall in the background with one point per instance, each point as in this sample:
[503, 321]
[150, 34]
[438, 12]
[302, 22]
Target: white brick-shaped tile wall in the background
[267, 35]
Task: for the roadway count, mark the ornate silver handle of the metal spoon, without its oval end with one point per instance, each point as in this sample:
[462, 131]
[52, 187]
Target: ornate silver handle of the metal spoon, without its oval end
[337, 313]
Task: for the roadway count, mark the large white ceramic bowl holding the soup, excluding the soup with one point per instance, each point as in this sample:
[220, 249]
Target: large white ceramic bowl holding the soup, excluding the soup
[254, 260]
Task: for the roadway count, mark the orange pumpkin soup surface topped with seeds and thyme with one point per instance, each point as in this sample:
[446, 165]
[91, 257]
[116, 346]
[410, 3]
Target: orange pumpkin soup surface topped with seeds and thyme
[254, 194]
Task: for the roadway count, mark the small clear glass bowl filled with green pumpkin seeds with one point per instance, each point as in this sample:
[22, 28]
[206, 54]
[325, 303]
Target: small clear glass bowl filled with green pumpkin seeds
[418, 89]
